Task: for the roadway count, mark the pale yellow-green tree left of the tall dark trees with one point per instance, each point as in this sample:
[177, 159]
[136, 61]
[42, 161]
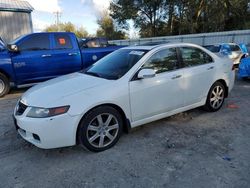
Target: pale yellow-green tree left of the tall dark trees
[108, 29]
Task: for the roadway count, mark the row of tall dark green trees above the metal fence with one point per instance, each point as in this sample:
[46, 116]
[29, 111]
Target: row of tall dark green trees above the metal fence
[173, 17]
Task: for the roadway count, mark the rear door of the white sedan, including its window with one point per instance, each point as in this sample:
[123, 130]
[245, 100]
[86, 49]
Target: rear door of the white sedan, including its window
[199, 70]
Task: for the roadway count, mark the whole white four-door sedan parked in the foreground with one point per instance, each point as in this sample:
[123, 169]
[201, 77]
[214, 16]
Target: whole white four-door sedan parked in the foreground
[130, 87]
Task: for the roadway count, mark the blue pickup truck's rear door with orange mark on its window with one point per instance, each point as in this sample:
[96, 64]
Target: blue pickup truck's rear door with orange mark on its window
[66, 54]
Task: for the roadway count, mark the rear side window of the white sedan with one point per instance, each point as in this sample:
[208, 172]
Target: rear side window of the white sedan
[194, 56]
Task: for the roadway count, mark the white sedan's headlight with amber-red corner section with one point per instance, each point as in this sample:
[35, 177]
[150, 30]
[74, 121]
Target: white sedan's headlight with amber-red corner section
[36, 112]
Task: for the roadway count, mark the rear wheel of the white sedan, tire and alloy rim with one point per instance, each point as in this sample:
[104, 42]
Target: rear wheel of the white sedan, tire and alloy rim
[215, 98]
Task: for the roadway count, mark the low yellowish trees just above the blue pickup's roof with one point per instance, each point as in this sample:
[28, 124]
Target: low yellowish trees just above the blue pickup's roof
[68, 27]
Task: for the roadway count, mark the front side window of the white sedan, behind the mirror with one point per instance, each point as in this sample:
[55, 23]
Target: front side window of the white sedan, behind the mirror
[162, 61]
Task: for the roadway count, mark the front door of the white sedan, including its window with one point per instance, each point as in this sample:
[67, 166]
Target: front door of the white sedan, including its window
[162, 93]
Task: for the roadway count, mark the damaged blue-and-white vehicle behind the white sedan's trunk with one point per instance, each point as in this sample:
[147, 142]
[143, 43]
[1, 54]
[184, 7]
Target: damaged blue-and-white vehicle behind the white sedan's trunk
[234, 51]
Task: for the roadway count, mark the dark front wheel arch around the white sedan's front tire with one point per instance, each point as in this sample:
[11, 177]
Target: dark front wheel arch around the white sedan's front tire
[126, 121]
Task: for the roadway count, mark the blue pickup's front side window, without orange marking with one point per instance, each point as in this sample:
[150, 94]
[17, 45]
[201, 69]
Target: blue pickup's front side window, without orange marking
[35, 42]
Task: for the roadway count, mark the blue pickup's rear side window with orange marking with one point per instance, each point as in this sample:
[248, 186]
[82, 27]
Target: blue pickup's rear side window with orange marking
[63, 41]
